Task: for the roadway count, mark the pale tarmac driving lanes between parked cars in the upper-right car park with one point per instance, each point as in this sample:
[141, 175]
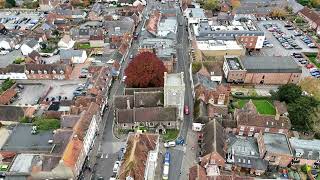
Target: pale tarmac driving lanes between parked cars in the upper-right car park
[278, 49]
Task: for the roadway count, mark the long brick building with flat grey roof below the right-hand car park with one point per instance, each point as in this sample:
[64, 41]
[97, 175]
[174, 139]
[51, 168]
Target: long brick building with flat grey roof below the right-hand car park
[261, 70]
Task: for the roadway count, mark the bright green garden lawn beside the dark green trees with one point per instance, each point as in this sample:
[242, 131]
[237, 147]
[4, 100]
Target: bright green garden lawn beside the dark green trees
[263, 106]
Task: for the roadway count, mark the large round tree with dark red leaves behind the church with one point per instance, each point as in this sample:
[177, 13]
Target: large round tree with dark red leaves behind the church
[145, 70]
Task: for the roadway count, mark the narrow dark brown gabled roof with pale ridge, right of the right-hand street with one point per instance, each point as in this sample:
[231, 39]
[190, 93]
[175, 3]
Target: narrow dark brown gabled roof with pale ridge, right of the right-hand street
[213, 138]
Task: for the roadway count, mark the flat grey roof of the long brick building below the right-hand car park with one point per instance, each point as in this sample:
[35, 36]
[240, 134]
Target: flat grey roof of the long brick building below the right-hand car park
[270, 64]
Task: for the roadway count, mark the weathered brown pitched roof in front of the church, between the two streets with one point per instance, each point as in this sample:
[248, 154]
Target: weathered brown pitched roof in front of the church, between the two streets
[136, 155]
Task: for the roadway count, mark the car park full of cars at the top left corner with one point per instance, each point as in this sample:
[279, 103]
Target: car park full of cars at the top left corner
[16, 20]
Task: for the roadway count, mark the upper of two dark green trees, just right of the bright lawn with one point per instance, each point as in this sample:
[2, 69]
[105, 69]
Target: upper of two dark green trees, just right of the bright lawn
[288, 93]
